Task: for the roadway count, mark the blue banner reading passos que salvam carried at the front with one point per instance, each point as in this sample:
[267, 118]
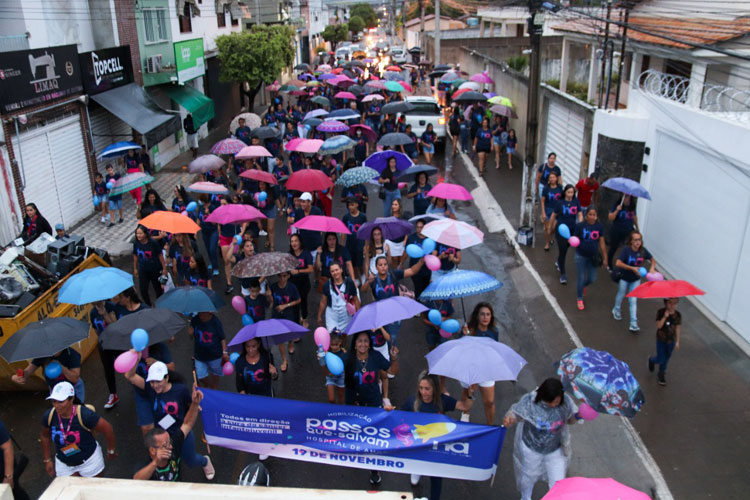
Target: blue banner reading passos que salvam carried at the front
[352, 436]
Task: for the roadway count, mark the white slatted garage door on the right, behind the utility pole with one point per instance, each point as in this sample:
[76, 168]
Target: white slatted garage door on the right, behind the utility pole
[564, 137]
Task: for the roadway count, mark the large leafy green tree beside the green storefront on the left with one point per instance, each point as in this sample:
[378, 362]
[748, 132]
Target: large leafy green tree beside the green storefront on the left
[255, 56]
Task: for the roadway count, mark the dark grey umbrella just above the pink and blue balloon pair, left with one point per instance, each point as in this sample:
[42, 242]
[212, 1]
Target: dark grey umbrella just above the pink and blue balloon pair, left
[161, 325]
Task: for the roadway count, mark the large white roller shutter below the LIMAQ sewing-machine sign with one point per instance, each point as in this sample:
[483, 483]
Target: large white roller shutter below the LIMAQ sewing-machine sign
[56, 173]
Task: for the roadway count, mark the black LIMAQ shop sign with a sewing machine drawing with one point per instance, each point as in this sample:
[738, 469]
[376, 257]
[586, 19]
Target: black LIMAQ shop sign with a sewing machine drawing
[31, 77]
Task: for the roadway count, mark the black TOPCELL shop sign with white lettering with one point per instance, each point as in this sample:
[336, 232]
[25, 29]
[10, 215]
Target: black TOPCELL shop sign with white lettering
[105, 69]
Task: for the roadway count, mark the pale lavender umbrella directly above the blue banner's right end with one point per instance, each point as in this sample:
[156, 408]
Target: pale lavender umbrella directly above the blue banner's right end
[471, 360]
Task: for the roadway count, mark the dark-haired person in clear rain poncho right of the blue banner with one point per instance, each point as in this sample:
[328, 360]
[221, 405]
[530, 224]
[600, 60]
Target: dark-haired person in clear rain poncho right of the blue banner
[542, 443]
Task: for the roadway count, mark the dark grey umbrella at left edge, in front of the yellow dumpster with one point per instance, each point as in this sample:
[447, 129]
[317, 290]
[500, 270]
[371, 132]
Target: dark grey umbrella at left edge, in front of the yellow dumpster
[44, 338]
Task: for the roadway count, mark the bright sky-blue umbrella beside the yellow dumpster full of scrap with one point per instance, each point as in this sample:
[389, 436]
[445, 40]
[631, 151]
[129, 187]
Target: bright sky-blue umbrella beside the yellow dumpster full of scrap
[96, 283]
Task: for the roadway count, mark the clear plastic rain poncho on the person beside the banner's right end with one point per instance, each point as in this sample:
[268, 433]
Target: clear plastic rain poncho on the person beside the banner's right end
[542, 436]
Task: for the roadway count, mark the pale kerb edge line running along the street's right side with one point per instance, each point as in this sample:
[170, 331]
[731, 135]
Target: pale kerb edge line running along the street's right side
[495, 220]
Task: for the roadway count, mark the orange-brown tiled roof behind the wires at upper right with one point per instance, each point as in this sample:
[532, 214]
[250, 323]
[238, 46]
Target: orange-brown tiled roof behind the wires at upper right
[696, 30]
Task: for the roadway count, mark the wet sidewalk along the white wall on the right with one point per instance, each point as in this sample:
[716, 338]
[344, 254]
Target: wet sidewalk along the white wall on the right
[694, 427]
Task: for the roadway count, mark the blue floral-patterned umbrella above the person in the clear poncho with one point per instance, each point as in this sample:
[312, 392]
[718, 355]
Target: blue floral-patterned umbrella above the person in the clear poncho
[604, 382]
